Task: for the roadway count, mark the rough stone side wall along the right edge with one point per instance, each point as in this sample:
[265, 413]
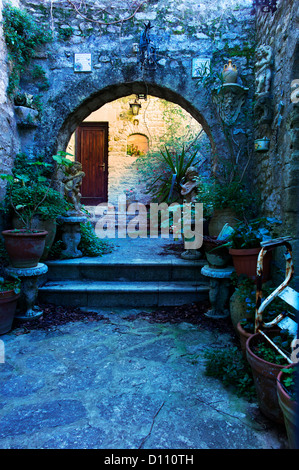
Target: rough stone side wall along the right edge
[277, 170]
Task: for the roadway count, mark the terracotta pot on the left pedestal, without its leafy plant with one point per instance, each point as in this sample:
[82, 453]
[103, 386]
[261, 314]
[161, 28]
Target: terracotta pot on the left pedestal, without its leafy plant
[24, 248]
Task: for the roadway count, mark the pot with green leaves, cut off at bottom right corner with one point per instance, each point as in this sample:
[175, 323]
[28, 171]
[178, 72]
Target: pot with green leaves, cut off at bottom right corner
[287, 399]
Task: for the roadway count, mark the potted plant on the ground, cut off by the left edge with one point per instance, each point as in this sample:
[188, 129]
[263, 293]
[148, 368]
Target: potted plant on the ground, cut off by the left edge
[9, 294]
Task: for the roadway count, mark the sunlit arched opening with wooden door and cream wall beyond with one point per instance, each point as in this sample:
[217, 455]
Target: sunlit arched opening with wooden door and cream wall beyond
[129, 143]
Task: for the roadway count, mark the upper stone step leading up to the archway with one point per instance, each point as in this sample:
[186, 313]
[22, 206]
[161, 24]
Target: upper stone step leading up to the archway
[101, 269]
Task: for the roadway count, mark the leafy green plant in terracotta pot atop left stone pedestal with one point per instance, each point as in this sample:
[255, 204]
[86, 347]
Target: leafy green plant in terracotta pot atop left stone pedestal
[30, 195]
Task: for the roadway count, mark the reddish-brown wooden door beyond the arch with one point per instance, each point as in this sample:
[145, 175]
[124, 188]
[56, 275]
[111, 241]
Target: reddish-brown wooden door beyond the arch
[92, 151]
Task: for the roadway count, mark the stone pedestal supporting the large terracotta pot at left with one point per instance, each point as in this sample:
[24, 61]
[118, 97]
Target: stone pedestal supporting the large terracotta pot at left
[26, 309]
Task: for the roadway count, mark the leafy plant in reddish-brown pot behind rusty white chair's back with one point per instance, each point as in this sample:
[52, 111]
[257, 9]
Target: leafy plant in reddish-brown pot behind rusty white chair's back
[244, 246]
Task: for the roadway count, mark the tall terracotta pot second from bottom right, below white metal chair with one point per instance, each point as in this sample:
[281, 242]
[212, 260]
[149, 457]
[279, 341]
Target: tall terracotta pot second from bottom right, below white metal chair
[264, 375]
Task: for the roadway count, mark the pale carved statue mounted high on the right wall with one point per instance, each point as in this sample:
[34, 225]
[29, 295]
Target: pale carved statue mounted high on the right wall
[263, 69]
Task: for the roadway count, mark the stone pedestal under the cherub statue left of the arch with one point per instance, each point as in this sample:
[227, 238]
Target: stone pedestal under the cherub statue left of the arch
[71, 235]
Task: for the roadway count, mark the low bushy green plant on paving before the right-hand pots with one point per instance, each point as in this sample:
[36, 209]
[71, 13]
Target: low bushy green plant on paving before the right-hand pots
[229, 366]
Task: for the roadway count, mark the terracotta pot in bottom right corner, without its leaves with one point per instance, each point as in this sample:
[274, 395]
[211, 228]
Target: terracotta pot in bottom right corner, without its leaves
[289, 409]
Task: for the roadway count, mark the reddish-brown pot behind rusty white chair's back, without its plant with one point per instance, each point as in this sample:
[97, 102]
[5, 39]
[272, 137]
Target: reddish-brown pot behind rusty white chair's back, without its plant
[245, 262]
